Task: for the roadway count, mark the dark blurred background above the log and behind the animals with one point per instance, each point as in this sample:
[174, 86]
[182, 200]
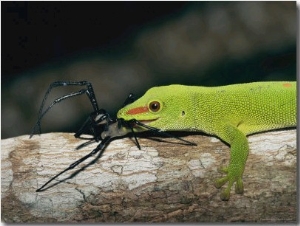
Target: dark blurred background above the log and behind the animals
[123, 47]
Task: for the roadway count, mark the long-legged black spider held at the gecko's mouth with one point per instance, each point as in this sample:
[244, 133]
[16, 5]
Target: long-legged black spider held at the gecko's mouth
[99, 123]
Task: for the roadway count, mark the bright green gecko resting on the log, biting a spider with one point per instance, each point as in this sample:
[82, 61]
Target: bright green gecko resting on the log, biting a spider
[229, 112]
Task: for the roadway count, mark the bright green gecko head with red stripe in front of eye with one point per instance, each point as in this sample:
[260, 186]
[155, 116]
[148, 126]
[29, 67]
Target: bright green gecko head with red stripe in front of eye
[158, 107]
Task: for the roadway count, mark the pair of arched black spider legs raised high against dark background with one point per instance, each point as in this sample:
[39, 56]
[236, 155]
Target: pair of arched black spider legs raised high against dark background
[89, 91]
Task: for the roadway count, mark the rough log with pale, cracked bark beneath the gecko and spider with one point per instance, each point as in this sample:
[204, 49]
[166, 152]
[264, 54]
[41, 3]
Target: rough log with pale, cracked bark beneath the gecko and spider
[162, 182]
